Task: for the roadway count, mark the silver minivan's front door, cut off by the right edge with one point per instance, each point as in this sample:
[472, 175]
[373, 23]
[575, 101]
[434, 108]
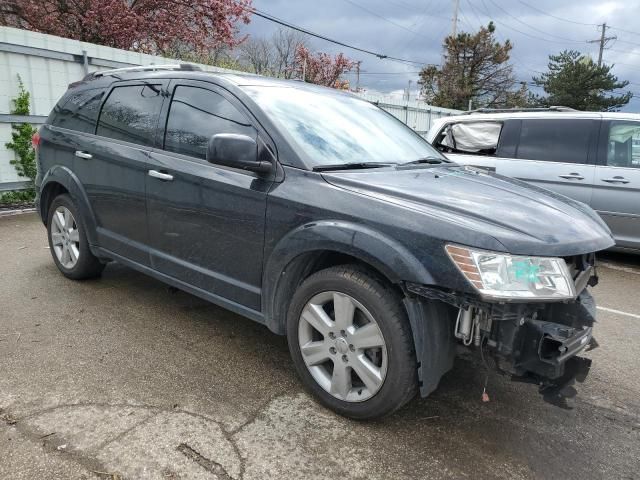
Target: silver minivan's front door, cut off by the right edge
[616, 193]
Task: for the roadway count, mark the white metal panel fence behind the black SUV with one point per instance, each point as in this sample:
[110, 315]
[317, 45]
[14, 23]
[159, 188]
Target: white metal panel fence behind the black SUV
[48, 64]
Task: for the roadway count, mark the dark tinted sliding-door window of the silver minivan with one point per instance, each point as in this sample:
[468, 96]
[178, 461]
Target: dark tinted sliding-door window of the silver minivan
[555, 140]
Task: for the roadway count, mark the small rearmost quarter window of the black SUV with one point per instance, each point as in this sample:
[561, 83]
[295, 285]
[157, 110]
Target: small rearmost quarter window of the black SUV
[79, 112]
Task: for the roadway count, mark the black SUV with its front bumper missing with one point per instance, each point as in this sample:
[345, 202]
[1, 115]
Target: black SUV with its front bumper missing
[323, 217]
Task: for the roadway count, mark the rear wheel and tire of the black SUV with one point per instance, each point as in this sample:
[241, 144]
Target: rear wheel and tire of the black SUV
[68, 241]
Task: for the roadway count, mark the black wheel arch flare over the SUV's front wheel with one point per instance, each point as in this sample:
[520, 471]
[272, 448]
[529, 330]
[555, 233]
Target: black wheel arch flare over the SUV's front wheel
[383, 253]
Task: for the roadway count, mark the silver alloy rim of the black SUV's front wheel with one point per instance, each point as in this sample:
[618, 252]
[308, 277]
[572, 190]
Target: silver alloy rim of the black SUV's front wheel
[342, 346]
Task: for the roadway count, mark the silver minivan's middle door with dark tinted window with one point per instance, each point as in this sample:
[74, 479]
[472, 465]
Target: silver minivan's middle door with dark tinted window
[555, 153]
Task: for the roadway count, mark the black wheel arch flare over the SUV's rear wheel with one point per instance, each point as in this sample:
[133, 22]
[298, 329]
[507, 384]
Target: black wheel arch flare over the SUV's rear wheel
[62, 175]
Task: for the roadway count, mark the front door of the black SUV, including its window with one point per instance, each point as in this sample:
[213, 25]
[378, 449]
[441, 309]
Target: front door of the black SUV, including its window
[206, 222]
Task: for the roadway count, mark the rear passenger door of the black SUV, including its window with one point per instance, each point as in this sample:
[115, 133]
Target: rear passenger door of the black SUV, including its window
[112, 165]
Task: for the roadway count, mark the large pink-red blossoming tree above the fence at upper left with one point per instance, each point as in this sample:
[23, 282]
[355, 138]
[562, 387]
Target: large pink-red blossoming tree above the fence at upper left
[149, 26]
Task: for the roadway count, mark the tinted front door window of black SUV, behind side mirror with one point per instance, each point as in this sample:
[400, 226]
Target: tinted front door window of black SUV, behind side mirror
[197, 114]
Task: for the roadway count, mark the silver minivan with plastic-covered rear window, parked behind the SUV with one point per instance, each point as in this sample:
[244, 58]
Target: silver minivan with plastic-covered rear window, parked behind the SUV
[590, 157]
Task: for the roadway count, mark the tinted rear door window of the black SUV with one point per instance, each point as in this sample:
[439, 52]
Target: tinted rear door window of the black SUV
[130, 113]
